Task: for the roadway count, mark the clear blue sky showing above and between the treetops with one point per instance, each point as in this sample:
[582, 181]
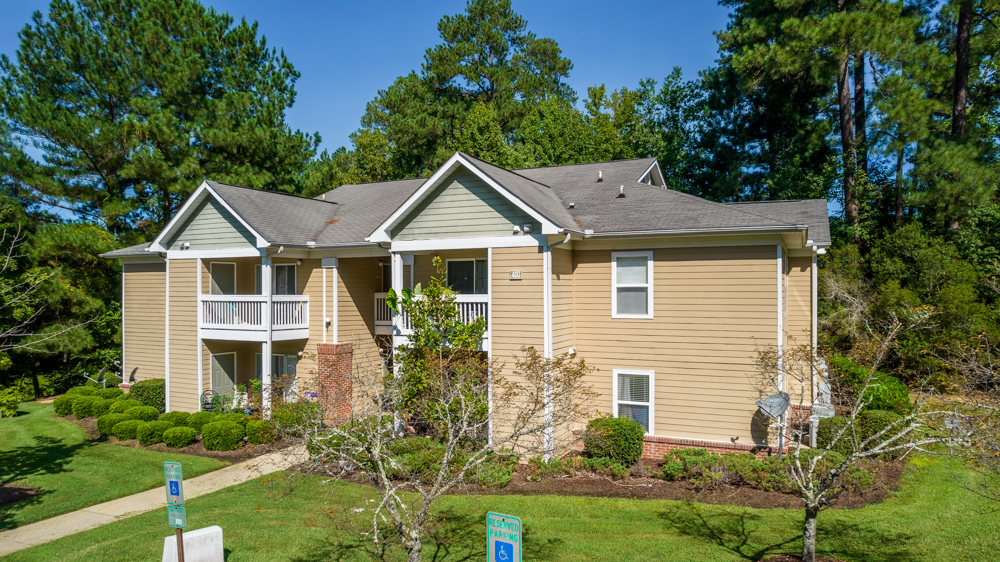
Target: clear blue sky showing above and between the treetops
[347, 51]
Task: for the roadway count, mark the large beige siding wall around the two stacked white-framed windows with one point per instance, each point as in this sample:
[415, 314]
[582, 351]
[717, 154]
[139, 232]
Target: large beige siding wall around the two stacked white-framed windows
[711, 307]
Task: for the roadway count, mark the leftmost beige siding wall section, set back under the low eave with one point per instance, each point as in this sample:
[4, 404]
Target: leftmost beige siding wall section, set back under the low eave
[144, 294]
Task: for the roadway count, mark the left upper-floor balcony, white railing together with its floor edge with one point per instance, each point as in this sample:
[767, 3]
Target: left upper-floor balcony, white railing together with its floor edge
[241, 317]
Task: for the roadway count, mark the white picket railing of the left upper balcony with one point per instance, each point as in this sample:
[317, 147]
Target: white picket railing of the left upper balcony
[246, 312]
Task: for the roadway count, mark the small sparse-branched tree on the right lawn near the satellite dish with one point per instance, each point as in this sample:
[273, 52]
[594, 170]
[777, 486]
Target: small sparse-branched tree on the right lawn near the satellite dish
[819, 475]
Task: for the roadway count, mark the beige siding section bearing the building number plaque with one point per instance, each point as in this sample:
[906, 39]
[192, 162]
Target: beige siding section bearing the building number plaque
[517, 305]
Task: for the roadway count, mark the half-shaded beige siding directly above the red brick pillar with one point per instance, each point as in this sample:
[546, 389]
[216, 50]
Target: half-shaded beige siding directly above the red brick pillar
[358, 281]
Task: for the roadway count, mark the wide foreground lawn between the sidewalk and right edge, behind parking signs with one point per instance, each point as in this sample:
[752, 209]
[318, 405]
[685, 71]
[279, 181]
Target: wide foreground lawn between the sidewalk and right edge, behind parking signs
[269, 519]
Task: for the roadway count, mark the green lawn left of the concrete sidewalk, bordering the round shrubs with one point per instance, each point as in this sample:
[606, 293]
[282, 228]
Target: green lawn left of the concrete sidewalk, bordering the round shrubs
[54, 455]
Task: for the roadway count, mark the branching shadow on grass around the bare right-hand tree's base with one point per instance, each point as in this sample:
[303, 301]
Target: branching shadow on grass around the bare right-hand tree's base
[743, 534]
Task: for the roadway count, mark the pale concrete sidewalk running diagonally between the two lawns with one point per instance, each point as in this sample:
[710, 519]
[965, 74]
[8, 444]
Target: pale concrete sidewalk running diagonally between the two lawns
[108, 512]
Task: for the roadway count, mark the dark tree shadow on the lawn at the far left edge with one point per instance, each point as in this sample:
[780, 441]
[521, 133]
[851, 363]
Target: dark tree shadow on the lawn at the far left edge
[46, 456]
